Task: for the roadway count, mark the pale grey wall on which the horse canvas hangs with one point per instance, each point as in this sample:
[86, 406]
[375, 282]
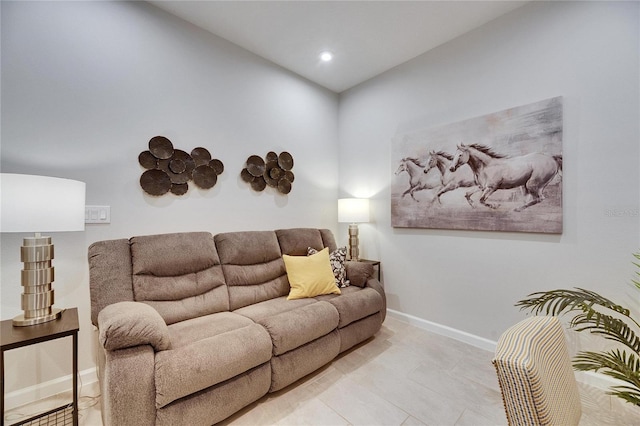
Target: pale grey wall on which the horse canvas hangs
[587, 52]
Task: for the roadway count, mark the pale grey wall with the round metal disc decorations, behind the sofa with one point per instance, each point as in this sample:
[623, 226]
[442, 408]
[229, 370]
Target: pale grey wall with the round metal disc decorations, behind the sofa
[85, 85]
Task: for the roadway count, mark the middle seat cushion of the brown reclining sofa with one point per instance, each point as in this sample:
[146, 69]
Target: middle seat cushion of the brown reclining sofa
[292, 329]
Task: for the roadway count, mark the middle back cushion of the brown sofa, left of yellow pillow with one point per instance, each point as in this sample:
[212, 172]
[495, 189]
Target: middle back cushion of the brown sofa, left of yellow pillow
[253, 267]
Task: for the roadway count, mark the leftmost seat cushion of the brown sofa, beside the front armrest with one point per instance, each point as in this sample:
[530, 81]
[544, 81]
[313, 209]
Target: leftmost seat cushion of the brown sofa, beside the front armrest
[206, 357]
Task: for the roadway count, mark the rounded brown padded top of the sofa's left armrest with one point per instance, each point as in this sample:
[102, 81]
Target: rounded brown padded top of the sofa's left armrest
[128, 324]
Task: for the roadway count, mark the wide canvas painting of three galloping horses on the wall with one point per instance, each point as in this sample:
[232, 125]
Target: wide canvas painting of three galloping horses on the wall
[497, 172]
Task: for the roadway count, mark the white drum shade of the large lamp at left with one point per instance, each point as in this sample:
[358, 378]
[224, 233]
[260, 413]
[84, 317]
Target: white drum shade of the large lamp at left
[40, 204]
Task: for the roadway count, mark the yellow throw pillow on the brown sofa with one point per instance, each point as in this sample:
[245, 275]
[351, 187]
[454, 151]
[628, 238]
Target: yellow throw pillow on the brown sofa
[310, 276]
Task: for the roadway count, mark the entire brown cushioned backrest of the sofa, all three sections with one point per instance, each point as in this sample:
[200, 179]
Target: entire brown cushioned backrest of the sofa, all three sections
[187, 275]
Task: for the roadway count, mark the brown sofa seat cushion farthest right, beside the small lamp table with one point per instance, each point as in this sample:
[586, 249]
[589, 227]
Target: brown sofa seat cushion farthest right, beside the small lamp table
[354, 303]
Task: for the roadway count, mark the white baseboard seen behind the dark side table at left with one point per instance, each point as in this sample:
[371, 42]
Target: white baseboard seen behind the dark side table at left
[44, 390]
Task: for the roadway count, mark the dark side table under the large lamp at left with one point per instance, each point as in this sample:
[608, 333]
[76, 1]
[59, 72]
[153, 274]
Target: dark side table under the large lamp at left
[18, 337]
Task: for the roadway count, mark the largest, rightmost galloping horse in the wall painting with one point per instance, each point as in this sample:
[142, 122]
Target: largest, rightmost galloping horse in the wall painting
[495, 171]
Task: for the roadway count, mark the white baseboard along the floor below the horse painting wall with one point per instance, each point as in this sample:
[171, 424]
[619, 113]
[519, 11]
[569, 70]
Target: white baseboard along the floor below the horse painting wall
[596, 380]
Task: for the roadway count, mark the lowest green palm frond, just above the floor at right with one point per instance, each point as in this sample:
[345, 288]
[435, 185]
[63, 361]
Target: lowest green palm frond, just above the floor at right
[617, 364]
